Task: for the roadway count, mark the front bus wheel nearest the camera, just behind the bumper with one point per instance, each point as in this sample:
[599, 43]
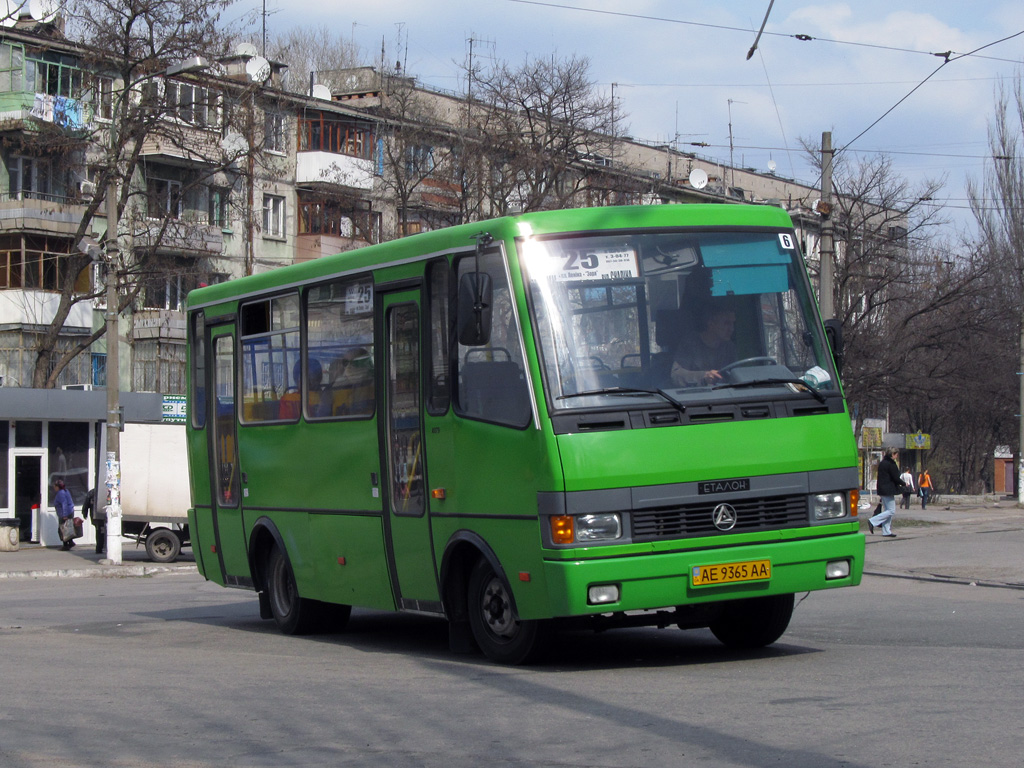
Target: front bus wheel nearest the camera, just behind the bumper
[502, 636]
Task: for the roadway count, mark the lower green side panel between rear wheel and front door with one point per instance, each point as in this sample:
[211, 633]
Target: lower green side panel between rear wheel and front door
[348, 554]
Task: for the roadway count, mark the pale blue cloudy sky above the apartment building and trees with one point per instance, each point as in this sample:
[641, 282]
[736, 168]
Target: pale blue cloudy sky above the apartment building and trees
[678, 70]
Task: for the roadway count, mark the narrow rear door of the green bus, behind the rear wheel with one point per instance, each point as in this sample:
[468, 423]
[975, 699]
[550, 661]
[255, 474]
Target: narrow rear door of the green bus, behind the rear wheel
[225, 485]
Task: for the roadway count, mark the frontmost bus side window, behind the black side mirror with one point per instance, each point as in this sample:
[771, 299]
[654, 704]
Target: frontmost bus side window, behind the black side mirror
[492, 377]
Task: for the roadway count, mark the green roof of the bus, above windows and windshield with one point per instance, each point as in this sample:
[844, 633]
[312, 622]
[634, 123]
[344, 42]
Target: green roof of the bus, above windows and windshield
[456, 238]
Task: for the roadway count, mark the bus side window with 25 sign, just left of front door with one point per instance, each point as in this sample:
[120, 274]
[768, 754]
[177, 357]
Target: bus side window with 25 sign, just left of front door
[340, 342]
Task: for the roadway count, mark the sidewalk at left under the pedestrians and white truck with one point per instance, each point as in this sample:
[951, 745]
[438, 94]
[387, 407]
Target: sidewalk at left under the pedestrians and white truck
[33, 562]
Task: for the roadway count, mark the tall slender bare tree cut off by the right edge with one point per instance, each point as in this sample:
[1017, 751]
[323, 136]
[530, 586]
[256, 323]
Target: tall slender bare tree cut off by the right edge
[998, 203]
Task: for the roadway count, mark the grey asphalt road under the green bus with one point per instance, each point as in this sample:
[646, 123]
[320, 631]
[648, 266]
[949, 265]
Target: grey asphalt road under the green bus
[170, 671]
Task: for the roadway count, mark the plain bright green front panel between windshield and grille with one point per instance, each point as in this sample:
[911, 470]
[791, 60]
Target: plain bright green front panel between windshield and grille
[707, 452]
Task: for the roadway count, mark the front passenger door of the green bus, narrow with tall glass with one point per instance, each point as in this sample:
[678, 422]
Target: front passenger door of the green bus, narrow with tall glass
[407, 523]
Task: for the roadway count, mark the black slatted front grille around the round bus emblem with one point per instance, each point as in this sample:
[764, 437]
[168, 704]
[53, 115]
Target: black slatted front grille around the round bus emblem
[698, 520]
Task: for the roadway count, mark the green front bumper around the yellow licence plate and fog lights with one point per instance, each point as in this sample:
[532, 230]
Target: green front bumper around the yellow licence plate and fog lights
[664, 580]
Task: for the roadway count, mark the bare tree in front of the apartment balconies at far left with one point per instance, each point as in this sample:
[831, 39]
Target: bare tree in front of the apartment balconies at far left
[131, 44]
